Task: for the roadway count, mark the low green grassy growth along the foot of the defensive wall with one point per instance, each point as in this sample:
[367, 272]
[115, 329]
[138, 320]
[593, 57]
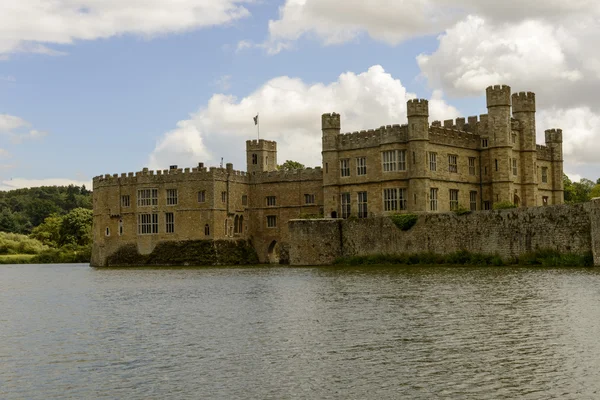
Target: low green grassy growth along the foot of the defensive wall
[542, 258]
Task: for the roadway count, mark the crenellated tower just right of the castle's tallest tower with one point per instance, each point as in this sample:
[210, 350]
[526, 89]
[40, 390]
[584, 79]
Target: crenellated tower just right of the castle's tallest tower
[524, 111]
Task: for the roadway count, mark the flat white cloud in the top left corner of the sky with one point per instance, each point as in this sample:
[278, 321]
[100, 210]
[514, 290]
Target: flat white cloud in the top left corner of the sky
[31, 25]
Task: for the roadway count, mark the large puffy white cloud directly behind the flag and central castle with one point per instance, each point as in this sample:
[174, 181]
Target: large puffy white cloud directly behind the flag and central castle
[292, 111]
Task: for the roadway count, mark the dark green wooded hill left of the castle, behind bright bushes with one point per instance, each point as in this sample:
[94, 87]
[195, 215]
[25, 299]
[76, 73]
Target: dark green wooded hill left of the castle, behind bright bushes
[23, 209]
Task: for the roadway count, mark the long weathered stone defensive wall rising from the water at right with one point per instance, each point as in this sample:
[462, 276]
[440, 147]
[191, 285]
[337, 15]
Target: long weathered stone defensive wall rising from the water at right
[508, 233]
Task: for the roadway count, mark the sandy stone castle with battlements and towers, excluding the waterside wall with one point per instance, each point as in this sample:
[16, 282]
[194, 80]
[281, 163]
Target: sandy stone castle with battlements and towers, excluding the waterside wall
[413, 168]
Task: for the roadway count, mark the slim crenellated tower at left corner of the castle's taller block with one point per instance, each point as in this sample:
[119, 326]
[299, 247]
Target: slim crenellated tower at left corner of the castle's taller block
[330, 125]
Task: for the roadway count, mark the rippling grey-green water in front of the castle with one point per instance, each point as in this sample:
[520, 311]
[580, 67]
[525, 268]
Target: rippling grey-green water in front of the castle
[72, 332]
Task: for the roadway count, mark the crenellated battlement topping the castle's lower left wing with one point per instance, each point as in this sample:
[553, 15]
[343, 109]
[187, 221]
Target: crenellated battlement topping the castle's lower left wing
[147, 176]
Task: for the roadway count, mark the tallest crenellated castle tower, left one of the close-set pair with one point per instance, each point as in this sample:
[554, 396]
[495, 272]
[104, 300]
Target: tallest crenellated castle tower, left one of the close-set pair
[499, 131]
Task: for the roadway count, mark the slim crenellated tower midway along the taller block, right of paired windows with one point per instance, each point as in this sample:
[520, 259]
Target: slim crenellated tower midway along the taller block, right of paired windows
[417, 112]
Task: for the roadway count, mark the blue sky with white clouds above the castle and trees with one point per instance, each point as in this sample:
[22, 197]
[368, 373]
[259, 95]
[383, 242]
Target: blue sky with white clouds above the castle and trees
[89, 87]
